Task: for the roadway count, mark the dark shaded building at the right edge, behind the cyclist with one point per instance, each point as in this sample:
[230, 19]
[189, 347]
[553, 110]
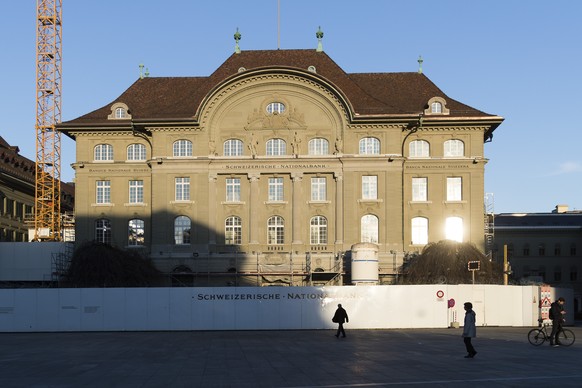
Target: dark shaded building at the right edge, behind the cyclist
[543, 248]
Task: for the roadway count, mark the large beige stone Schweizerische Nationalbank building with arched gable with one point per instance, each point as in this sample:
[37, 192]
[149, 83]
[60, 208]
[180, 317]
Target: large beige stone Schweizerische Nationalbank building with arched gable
[271, 168]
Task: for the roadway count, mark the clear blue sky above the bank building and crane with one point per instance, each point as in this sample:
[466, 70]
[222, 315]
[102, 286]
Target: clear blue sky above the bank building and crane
[516, 59]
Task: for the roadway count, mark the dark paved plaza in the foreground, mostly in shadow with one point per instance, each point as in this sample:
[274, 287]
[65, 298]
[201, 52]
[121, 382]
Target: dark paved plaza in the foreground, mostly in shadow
[313, 358]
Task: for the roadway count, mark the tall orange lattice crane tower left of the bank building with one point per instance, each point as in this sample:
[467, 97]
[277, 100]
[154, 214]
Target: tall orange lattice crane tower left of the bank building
[47, 201]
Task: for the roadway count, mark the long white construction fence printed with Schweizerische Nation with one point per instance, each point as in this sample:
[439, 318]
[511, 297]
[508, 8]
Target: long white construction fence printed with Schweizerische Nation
[266, 308]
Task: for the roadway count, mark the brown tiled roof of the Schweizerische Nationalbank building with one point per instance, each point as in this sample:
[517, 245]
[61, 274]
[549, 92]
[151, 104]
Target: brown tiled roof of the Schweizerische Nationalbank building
[166, 98]
